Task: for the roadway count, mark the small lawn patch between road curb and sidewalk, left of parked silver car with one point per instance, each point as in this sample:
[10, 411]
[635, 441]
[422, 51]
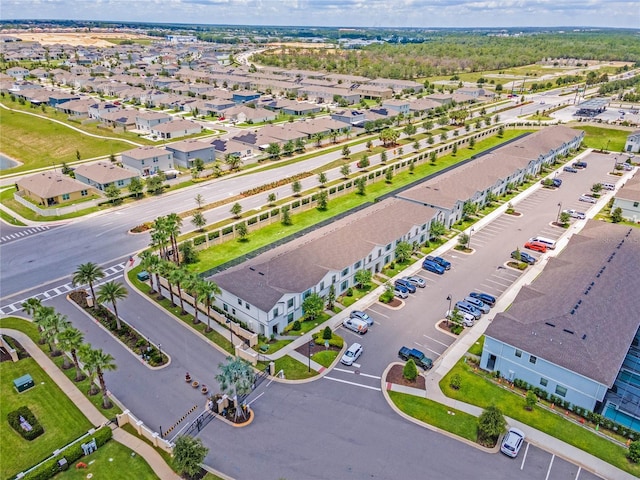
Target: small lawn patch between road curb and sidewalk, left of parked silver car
[459, 423]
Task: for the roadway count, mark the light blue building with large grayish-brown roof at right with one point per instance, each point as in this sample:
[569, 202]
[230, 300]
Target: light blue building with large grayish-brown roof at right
[574, 331]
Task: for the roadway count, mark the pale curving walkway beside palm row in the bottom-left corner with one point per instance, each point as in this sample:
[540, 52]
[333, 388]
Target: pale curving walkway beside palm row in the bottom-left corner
[153, 458]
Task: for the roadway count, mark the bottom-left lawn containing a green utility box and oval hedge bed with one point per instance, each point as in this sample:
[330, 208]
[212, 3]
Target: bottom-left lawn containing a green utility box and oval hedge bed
[61, 419]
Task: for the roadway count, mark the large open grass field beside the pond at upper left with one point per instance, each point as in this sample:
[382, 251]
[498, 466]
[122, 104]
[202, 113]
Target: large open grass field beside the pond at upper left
[40, 143]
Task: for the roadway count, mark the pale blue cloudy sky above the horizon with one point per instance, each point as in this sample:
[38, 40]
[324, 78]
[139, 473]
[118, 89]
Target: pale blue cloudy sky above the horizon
[339, 13]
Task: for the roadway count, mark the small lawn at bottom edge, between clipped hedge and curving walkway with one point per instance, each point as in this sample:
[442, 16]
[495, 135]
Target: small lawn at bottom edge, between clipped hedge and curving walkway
[112, 461]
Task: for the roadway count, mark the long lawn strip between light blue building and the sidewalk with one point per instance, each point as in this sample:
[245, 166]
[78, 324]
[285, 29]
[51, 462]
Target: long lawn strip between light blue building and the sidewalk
[483, 393]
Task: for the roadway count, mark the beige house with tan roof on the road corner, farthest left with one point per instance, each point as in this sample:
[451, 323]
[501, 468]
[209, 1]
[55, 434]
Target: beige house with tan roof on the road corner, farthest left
[52, 188]
